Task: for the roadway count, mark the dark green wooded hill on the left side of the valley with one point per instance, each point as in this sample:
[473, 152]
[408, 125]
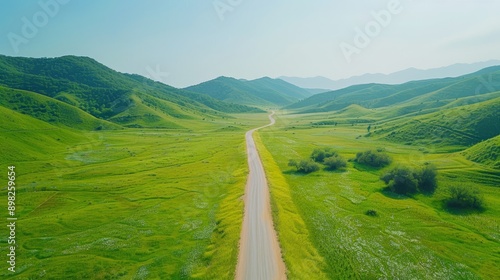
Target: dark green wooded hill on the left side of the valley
[85, 84]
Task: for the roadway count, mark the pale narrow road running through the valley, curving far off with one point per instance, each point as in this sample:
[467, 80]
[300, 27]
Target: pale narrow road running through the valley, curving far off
[260, 256]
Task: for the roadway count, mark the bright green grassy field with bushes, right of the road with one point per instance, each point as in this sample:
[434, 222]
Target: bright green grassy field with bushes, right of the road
[410, 238]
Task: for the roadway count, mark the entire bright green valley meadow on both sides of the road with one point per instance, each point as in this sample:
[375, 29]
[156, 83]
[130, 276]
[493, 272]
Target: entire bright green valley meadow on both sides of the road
[151, 203]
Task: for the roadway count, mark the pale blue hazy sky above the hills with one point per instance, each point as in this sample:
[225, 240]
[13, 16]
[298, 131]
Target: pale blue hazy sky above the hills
[192, 42]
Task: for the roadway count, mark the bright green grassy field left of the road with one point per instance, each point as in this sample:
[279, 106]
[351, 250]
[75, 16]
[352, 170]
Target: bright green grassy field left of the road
[131, 204]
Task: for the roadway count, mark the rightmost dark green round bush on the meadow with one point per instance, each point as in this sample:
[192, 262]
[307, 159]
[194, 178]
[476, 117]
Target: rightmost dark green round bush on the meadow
[463, 197]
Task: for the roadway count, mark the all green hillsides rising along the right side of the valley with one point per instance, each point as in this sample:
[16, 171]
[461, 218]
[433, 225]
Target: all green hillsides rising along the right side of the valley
[459, 112]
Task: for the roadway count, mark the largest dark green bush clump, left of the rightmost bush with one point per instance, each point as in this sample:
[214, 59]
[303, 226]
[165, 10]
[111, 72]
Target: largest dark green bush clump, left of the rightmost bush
[406, 180]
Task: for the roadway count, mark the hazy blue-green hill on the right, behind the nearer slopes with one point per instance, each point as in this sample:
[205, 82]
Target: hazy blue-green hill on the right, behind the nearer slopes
[410, 97]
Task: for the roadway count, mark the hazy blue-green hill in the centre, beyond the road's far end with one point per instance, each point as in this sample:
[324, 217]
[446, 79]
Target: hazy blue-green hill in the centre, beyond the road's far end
[260, 92]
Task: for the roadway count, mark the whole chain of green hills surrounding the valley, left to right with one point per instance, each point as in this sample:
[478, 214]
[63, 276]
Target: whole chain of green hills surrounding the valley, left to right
[79, 93]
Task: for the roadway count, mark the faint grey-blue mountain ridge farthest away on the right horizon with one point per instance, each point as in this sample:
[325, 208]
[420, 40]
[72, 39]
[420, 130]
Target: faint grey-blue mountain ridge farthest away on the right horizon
[400, 77]
